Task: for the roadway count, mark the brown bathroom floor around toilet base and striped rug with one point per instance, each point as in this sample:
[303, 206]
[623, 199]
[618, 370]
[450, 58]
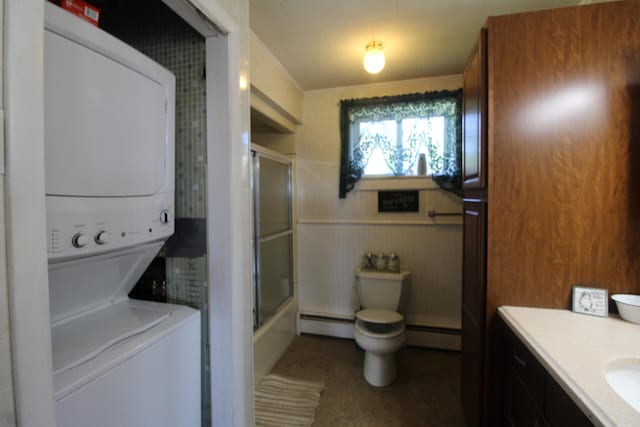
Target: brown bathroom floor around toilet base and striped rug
[426, 391]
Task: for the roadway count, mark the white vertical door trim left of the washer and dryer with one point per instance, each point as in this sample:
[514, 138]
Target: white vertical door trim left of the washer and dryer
[26, 214]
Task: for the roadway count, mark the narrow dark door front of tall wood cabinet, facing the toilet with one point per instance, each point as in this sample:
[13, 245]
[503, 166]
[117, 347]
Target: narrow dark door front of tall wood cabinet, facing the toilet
[474, 232]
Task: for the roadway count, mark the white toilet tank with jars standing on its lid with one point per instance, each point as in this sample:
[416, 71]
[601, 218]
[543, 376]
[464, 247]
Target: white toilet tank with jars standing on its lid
[382, 289]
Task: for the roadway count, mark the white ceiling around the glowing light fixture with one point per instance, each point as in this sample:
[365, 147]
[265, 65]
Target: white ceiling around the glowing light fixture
[321, 42]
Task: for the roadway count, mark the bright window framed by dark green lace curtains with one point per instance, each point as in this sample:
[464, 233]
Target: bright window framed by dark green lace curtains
[386, 137]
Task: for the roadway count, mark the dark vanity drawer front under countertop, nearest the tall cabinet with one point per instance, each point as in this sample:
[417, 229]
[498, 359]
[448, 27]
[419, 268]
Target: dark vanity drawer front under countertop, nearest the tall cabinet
[527, 367]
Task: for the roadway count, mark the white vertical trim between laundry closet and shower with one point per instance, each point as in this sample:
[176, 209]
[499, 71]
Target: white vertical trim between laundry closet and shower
[228, 238]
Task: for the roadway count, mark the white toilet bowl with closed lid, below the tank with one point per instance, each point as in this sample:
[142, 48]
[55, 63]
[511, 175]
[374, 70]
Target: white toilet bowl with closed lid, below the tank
[380, 333]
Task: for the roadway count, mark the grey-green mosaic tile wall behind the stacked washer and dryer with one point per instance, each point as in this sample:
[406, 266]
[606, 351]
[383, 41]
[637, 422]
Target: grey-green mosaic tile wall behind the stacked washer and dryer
[163, 36]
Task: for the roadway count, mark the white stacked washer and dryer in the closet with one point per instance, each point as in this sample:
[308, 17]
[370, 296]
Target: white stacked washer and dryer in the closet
[109, 159]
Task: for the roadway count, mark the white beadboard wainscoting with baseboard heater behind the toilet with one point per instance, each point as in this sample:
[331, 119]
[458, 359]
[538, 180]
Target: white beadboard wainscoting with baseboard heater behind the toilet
[330, 250]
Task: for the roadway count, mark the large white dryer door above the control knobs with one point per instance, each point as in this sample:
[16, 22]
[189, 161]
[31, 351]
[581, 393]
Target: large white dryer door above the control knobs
[105, 123]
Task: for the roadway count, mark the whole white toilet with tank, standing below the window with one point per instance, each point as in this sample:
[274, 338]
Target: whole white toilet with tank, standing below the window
[379, 327]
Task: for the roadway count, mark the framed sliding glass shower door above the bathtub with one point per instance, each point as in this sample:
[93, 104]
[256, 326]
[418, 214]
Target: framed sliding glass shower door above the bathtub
[272, 234]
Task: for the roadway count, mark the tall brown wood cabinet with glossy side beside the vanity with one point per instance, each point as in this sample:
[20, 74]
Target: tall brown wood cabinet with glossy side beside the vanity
[551, 171]
